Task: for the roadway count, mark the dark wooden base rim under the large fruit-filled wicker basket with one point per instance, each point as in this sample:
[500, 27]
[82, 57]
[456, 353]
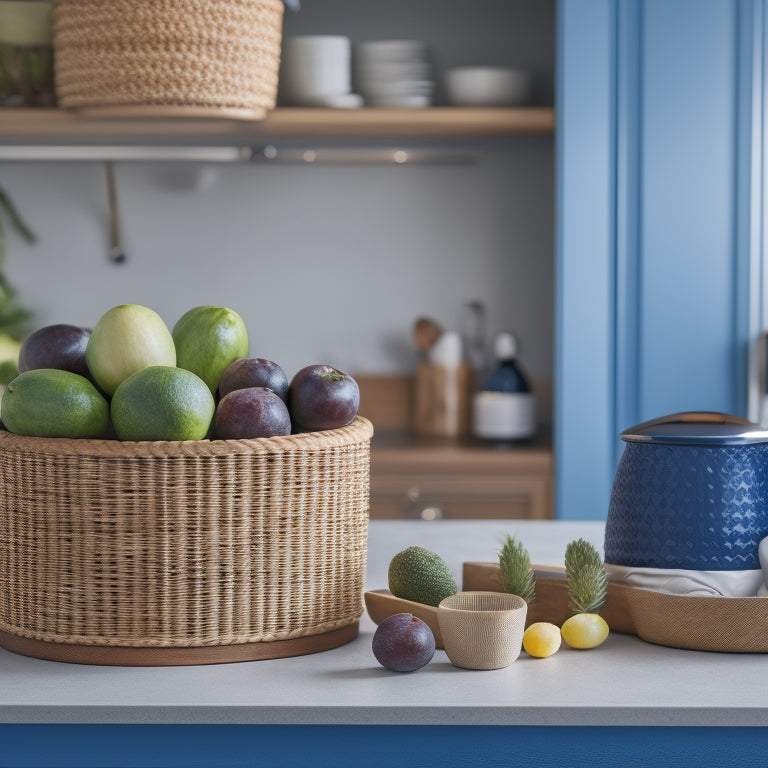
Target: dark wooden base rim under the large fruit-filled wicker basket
[159, 657]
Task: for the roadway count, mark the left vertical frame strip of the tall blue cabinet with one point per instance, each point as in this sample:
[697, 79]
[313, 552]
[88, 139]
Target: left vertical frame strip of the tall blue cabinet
[585, 281]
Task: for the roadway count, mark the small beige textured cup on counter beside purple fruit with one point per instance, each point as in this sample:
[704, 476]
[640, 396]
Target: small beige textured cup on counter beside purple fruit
[482, 630]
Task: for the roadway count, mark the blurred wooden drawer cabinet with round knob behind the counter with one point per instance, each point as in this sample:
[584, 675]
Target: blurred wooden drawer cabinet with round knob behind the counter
[428, 481]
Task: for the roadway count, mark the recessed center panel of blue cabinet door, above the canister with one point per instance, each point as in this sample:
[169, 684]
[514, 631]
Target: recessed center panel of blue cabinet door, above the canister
[688, 350]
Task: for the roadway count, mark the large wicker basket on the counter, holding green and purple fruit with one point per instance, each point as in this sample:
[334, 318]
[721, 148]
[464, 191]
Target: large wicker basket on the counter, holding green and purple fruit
[183, 552]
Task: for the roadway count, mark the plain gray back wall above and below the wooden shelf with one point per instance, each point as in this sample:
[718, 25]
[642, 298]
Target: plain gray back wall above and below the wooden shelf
[325, 263]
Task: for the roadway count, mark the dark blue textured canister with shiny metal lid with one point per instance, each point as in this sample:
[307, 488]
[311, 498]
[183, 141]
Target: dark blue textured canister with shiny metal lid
[691, 492]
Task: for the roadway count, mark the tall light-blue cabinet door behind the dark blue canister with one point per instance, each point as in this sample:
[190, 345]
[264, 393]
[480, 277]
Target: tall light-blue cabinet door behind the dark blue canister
[658, 157]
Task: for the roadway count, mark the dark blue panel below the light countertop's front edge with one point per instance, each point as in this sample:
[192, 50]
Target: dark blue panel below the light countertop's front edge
[355, 746]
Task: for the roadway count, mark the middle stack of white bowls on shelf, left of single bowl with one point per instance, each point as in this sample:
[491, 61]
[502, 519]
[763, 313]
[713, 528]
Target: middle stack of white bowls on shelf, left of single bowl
[393, 73]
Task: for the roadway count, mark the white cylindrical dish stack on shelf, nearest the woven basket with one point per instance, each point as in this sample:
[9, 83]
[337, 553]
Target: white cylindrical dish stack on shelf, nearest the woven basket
[315, 70]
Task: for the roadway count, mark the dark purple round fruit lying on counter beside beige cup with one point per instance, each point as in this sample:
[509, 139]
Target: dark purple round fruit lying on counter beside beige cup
[403, 643]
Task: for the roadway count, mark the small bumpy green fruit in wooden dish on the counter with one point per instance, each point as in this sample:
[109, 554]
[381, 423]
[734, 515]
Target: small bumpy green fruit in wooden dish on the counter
[420, 575]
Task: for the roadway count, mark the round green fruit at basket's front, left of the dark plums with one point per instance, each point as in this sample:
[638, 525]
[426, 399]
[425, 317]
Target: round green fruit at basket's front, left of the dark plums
[162, 403]
